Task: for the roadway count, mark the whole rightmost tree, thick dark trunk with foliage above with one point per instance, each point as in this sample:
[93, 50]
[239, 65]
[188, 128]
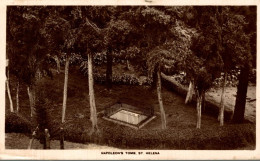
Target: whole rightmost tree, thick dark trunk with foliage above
[249, 29]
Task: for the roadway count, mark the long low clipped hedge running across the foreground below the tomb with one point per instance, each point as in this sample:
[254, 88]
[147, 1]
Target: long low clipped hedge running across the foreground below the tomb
[230, 136]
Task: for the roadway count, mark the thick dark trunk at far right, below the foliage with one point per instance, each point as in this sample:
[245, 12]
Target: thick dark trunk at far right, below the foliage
[241, 96]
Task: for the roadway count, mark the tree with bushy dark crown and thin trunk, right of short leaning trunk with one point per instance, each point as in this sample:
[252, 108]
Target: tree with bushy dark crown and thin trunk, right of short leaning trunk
[203, 66]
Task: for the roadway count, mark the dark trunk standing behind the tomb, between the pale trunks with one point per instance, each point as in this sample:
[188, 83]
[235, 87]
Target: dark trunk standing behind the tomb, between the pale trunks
[109, 69]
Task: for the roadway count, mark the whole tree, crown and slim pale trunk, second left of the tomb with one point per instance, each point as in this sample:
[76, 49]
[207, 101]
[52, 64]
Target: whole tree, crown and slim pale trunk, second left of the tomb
[62, 30]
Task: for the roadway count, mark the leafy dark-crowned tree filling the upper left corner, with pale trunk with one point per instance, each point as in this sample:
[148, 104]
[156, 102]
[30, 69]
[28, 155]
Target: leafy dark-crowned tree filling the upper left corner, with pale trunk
[25, 46]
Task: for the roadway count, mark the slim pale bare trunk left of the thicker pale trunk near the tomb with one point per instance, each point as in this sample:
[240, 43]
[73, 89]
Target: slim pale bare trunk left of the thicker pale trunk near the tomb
[65, 91]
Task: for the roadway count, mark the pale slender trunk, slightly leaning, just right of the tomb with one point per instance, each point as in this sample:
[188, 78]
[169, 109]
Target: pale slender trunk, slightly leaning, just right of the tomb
[163, 117]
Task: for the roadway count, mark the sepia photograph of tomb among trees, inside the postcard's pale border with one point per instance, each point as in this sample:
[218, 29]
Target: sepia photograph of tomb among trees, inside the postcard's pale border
[130, 79]
